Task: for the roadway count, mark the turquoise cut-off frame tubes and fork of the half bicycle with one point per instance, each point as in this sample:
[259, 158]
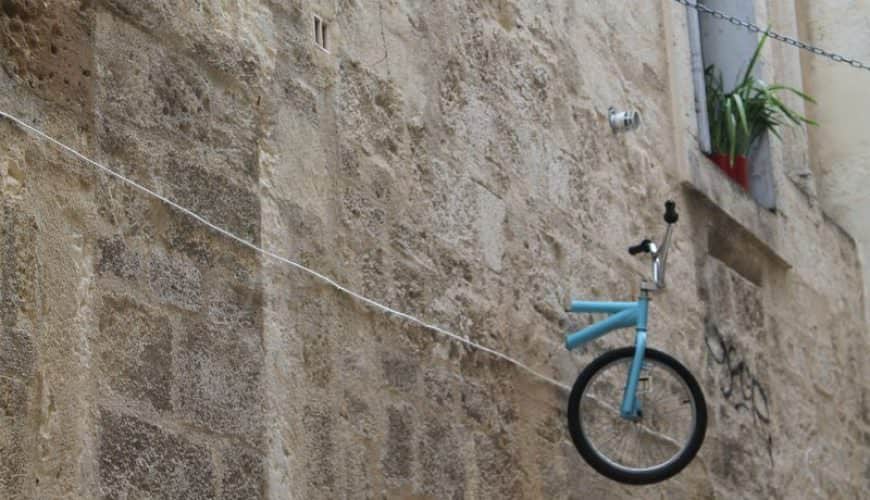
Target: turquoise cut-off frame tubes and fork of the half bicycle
[621, 315]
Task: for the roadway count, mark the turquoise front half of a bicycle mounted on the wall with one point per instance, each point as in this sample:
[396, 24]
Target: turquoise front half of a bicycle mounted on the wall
[654, 427]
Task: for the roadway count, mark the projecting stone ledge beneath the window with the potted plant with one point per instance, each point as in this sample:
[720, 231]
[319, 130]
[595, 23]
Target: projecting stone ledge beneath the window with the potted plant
[763, 225]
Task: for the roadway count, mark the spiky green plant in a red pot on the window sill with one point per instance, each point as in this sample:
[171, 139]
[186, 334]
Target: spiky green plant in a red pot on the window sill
[738, 118]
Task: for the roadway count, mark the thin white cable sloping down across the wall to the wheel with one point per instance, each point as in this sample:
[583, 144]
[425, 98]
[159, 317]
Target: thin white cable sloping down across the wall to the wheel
[325, 279]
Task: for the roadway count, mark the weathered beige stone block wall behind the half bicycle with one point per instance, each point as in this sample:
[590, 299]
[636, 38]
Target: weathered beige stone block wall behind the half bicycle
[450, 159]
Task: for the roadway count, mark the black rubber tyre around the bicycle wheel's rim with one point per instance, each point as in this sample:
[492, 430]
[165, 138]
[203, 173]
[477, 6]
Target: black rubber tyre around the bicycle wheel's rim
[632, 477]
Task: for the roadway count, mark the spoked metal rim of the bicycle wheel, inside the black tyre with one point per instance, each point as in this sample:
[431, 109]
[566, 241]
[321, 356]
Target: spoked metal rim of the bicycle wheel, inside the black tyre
[662, 433]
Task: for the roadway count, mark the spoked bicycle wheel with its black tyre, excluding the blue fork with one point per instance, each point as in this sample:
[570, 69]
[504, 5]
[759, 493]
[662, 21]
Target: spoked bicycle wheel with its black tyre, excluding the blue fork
[661, 441]
